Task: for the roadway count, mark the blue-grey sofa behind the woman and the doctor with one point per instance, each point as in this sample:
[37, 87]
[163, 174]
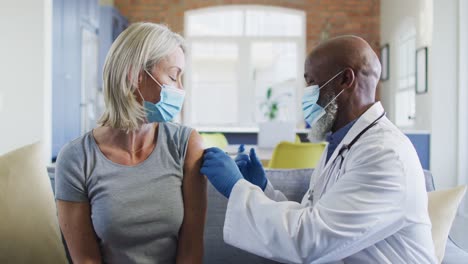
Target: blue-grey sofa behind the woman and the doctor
[294, 184]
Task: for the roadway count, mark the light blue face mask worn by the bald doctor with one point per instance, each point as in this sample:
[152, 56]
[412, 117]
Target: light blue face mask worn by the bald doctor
[313, 111]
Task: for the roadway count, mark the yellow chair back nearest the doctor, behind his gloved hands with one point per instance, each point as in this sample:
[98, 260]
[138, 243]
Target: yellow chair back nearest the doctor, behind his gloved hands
[287, 155]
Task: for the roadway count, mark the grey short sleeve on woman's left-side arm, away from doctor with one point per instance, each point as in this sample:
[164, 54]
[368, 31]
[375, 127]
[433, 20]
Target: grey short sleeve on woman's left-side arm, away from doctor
[70, 184]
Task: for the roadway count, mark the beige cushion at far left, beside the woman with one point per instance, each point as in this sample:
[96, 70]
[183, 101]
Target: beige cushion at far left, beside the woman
[29, 228]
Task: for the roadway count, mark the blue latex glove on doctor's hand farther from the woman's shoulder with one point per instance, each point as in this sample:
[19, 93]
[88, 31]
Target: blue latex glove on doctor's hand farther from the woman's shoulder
[251, 167]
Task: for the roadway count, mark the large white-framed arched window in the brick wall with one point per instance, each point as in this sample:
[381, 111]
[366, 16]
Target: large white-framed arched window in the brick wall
[234, 54]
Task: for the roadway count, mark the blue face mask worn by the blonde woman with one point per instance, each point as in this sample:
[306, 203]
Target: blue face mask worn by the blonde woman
[168, 107]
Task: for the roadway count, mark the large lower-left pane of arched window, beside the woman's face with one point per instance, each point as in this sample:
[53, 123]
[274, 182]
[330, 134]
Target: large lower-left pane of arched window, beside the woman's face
[214, 88]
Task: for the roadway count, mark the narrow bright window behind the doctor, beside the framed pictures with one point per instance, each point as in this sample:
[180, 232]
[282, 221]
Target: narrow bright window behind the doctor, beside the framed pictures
[406, 96]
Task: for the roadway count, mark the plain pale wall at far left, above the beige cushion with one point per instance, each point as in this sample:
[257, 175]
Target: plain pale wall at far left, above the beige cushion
[26, 72]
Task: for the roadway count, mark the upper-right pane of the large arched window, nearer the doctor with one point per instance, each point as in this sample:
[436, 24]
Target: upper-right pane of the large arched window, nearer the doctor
[272, 23]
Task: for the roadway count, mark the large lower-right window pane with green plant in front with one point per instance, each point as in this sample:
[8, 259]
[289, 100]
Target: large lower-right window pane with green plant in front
[274, 65]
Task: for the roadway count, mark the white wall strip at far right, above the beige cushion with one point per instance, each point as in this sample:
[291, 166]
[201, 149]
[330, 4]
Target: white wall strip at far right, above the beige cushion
[443, 77]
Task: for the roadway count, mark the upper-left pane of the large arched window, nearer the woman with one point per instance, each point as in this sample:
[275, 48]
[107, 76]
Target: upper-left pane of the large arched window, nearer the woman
[216, 23]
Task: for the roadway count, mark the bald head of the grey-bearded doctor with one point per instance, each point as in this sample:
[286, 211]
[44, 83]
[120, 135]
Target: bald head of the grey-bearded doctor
[351, 71]
